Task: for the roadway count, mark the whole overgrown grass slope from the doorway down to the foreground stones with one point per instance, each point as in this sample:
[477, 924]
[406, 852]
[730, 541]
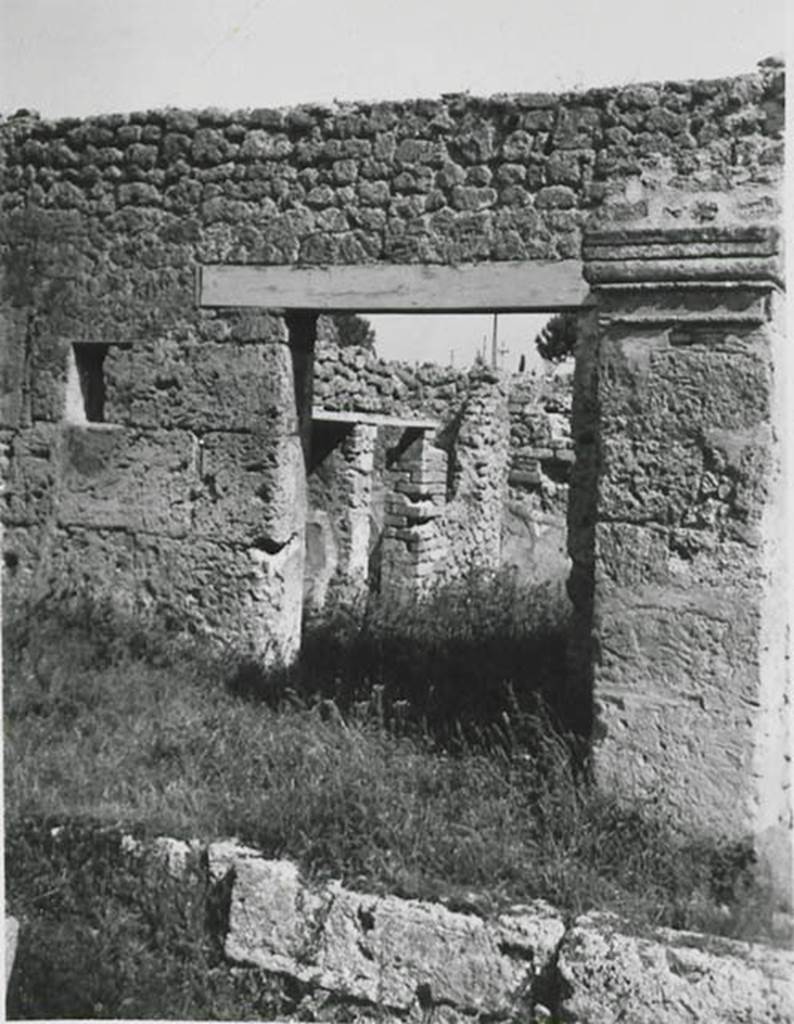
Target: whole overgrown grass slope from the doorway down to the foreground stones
[414, 753]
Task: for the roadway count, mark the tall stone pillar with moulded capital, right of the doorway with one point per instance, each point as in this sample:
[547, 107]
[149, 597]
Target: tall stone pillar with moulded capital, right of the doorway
[679, 530]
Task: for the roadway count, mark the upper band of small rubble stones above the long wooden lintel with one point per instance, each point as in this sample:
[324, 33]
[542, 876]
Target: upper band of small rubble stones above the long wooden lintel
[447, 181]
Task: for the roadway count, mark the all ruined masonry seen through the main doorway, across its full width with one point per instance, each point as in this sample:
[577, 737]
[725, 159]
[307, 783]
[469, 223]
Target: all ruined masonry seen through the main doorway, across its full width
[520, 523]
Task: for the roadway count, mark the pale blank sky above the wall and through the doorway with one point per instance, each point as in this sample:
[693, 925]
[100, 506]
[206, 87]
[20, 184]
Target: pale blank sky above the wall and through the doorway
[86, 57]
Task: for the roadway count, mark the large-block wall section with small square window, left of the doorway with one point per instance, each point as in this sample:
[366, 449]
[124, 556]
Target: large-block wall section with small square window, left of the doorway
[181, 499]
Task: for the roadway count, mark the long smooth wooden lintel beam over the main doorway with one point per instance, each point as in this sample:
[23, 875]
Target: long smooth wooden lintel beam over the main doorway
[529, 286]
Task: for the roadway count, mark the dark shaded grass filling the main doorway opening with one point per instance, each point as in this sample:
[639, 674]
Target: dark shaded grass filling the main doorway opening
[463, 661]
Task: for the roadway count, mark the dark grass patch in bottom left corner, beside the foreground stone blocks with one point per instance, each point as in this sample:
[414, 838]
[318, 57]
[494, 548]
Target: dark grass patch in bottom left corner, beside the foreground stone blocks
[107, 937]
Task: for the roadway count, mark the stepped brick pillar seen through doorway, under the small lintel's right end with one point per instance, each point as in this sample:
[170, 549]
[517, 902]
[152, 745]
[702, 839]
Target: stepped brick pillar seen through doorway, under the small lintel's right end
[412, 542]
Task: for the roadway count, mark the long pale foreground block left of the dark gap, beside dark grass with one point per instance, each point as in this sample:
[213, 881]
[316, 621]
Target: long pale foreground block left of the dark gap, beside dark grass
[383, 951]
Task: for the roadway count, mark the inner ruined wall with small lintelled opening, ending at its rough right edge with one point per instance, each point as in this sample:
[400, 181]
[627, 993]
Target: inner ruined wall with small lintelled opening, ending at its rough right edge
[437, 497]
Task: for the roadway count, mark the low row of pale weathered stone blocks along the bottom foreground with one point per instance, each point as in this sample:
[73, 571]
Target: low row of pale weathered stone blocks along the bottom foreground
[362, 958]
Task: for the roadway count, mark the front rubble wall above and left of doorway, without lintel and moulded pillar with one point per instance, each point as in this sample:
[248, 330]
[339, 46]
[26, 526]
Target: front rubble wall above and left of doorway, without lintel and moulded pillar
[105, 221]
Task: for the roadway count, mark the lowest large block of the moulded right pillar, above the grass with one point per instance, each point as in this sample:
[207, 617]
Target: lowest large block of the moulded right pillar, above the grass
[680, 664]
